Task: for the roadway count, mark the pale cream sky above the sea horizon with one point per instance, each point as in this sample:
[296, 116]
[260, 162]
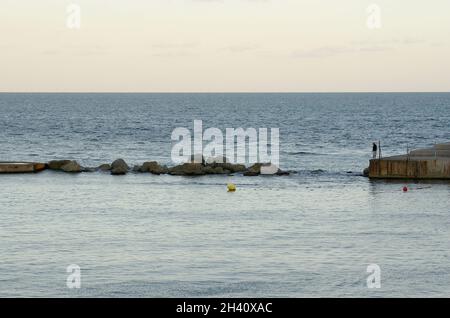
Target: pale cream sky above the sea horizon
[224, 46]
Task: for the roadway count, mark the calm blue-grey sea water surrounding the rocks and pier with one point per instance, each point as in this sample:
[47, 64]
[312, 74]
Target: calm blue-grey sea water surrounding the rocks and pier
[309, 234]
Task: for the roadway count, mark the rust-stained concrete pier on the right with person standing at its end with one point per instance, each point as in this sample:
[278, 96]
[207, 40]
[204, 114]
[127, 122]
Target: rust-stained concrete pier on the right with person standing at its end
[430, 163]
